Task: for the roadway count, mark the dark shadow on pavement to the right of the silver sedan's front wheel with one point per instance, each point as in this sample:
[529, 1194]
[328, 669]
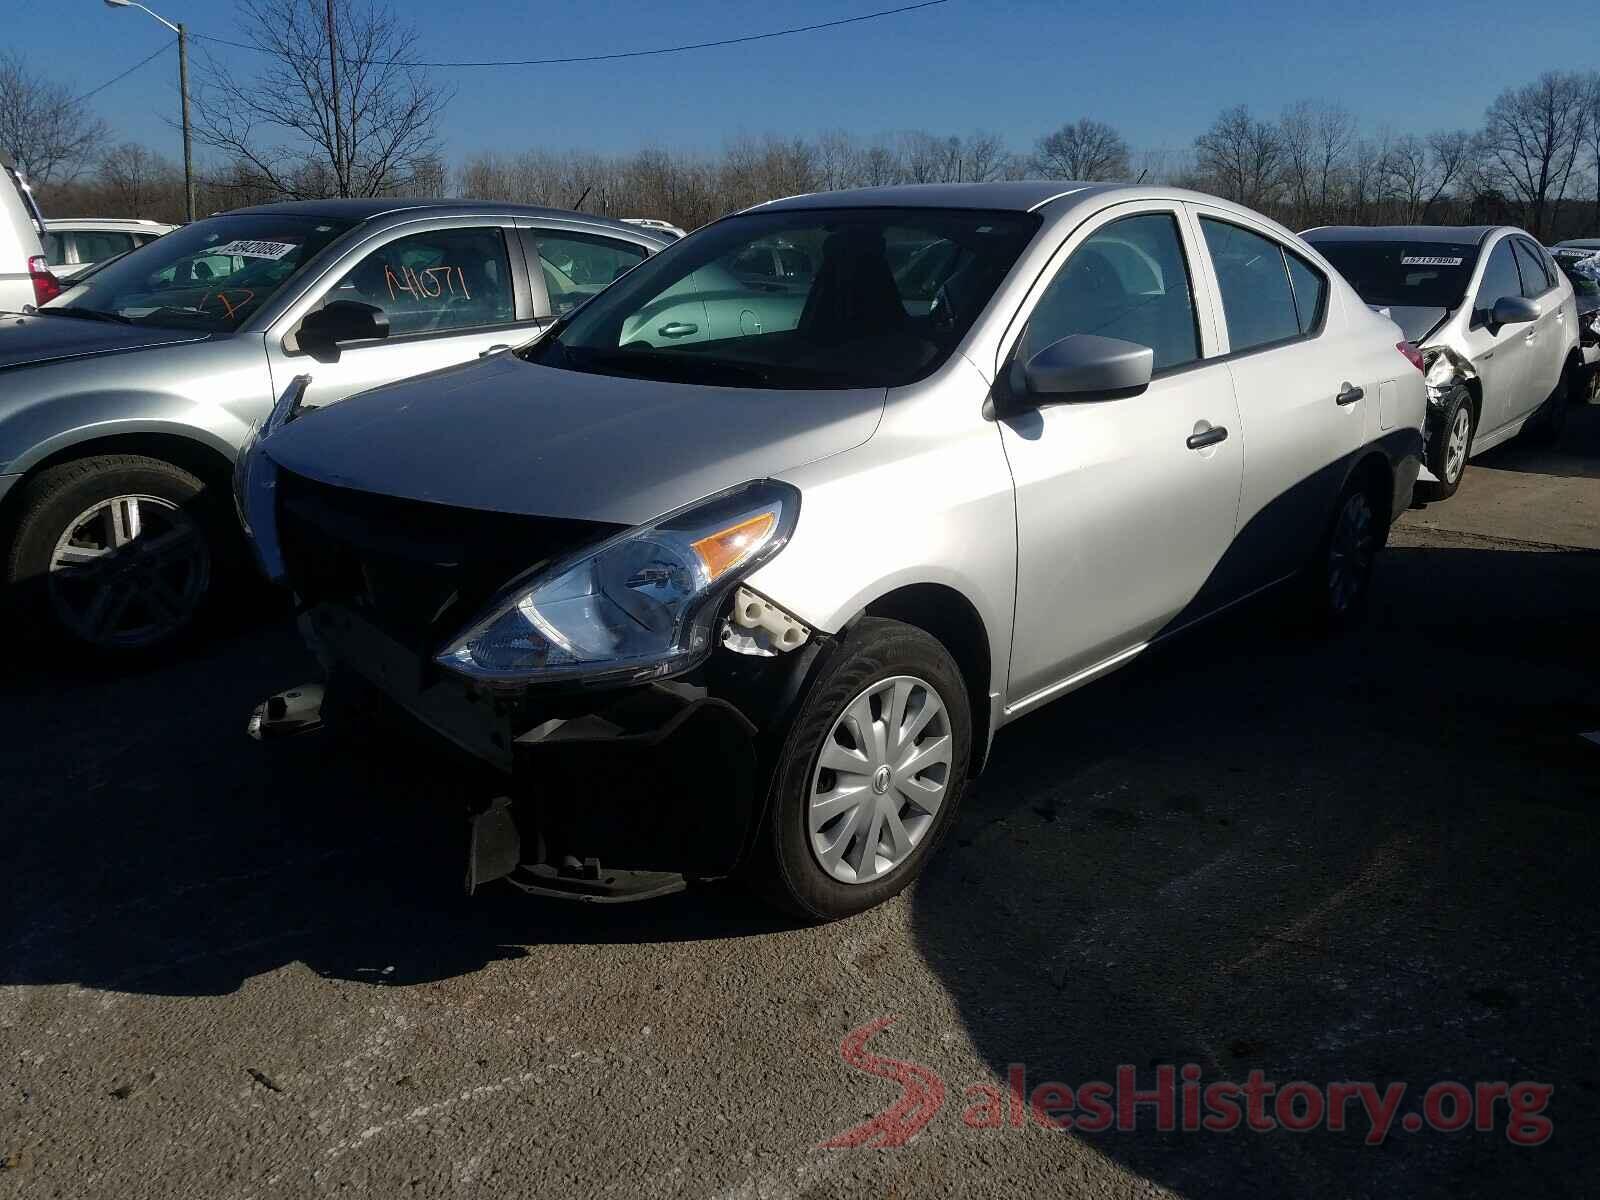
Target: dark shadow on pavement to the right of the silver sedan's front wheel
[1366, 860]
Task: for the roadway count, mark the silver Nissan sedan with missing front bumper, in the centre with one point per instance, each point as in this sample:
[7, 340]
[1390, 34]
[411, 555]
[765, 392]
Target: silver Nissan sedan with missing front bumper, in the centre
[722, 577]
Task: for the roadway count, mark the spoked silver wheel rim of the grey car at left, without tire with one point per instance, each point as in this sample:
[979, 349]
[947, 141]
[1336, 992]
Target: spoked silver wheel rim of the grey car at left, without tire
[129, 572]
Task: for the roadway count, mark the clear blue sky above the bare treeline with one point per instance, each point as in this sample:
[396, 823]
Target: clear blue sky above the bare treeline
[1156, 70]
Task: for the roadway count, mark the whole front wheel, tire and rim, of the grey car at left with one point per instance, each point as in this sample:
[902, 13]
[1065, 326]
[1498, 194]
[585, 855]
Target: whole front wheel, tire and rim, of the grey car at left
[114, 554]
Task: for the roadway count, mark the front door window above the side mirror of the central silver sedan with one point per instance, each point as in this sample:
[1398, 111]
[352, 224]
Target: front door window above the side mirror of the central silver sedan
[1127, 281]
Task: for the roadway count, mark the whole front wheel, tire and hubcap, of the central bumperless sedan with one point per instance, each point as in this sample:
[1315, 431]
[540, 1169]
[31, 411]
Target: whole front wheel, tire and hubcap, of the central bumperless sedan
[870, 778]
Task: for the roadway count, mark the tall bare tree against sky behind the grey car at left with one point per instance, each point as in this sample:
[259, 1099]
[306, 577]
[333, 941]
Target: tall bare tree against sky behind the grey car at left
[289, 126]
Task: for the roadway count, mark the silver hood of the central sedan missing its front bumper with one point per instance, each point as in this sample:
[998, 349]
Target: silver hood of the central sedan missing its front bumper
[516, 438]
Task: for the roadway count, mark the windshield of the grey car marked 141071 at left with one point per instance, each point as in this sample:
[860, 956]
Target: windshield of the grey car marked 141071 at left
[210, 276]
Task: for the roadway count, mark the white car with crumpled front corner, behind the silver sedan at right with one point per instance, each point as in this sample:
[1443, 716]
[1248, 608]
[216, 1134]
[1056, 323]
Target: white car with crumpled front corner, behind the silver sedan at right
[1495, 319]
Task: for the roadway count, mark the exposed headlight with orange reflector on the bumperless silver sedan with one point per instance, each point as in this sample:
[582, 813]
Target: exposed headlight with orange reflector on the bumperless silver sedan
[641, 606]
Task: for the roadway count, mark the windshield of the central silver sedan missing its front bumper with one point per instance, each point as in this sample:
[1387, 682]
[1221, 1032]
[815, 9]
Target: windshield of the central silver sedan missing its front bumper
[799, 300]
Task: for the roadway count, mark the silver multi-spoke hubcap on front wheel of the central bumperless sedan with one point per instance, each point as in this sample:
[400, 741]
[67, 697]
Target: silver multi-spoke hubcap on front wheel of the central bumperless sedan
[881, 780]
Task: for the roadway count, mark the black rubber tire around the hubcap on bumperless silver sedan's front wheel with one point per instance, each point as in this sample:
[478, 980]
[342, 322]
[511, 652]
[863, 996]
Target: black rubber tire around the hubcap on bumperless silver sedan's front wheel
[785, 866]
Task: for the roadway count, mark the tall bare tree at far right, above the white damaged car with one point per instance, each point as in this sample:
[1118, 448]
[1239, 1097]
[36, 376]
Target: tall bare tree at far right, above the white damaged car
[1534, 138]
